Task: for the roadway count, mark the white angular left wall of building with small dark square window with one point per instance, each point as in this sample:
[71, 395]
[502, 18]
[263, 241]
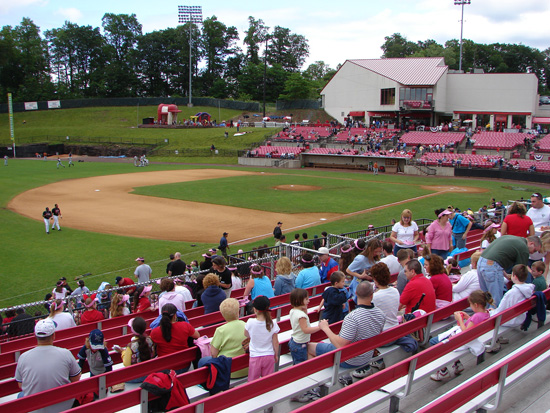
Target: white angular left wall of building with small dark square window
[358, 89]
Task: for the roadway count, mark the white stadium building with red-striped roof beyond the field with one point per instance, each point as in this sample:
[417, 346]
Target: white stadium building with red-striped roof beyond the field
[423, 90]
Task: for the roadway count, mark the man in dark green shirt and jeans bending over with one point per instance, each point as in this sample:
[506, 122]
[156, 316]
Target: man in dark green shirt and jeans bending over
[501, 255]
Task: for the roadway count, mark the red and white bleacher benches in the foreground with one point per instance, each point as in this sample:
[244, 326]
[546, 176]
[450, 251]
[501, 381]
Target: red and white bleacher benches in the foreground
[390, 384]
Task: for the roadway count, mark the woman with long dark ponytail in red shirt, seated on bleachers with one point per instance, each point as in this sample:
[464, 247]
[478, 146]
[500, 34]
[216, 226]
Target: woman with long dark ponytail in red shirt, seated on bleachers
[172, 335]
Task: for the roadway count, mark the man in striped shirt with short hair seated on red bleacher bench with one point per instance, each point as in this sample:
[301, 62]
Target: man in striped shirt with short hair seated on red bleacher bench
[364, 322]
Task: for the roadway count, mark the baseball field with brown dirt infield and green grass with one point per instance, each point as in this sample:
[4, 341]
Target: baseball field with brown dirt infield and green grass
[114, 212]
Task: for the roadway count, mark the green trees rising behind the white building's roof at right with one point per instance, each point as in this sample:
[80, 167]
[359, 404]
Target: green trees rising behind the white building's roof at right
[492, 58]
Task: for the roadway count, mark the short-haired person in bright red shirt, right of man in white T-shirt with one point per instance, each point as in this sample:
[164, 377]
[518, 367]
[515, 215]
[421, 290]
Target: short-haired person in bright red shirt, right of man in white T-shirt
[418, 284]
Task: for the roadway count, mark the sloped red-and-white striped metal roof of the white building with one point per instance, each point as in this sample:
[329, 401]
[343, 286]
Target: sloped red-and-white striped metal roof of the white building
[409, 71]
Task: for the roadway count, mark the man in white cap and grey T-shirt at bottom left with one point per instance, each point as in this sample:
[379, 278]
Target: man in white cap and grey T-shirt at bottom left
[46, 366]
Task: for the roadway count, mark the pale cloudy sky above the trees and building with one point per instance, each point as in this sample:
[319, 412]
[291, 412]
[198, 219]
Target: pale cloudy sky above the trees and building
[335, 31]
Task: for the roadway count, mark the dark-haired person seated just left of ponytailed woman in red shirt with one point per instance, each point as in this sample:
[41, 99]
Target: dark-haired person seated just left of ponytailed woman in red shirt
[141, 347]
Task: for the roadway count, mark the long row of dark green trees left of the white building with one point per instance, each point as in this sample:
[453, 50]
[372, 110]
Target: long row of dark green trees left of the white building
[119, 60]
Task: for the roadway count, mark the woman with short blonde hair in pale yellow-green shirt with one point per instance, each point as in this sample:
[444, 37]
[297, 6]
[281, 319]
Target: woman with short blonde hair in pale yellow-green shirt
[228, 338]
